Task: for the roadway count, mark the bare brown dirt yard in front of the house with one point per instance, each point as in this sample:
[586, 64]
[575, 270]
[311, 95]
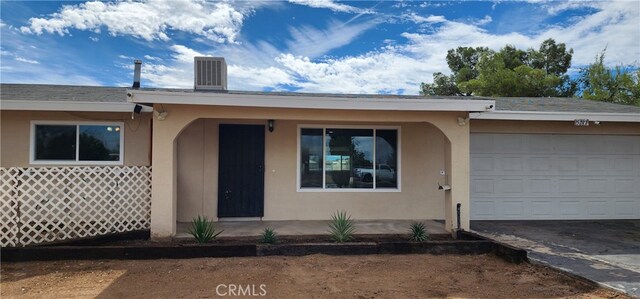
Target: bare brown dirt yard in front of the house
[315, 276]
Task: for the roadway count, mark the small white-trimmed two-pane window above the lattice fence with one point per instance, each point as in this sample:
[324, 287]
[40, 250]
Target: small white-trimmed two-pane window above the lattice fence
[77, 143]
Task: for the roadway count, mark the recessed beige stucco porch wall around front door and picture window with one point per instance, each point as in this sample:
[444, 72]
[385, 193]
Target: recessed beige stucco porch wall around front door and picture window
[421, 153]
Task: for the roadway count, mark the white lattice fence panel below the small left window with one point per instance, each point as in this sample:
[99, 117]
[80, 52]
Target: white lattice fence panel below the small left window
[47, 204]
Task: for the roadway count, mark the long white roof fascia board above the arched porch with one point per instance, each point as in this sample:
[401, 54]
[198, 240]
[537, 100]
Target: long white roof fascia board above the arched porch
[308, 102]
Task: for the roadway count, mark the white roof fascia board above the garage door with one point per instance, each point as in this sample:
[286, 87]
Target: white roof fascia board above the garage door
[557, 116]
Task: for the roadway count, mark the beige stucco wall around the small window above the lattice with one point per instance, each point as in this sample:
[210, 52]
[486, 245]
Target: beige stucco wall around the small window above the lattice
[15, 127]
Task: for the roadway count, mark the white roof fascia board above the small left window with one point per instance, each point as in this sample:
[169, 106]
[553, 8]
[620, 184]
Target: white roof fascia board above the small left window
[69, 106]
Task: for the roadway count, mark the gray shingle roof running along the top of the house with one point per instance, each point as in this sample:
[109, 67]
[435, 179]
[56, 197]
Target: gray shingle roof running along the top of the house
[37, 92]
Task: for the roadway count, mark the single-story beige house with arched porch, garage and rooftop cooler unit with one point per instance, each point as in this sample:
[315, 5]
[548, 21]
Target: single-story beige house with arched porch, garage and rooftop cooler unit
[299, 156]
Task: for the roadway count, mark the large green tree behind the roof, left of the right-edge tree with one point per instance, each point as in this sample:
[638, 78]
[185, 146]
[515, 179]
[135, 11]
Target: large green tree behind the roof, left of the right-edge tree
[508, 72]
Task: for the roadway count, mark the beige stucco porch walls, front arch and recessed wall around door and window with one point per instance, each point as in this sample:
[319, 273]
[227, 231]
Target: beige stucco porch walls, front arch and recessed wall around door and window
[282, 200]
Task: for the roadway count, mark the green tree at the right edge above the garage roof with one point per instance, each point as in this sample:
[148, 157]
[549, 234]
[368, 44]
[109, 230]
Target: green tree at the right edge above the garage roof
[615, 85]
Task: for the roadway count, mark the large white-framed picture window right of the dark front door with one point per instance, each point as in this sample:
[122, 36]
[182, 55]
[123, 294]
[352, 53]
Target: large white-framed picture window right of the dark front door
[335, 158]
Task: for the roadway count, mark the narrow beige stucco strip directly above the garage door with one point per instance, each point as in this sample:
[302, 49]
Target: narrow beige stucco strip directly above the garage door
[552, 127]
